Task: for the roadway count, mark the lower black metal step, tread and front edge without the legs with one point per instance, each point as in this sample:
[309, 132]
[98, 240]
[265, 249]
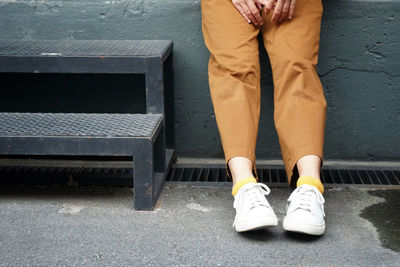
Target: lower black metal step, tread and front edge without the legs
[76, 134]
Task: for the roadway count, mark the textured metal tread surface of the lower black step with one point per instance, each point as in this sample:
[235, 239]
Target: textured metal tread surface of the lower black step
[78, 124]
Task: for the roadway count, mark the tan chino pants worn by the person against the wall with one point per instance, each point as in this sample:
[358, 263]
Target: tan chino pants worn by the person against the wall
[234, 80]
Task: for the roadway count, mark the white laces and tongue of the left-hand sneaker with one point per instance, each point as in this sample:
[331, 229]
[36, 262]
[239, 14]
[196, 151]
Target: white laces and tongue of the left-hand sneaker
[256, 193]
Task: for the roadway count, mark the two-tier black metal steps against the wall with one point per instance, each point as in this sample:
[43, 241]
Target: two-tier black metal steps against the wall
[144, 137]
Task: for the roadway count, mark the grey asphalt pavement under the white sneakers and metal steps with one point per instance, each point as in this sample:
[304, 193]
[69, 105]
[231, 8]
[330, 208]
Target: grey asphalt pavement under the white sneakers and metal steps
[191, 226]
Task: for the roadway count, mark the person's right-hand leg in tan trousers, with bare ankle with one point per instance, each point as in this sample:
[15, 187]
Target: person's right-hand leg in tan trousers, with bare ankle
[299, 100]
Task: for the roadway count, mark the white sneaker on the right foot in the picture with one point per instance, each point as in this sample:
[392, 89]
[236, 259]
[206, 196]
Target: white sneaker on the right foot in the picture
[305, 213]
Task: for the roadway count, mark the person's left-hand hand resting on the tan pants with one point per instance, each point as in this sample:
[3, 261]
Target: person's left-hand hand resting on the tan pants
[250, 9]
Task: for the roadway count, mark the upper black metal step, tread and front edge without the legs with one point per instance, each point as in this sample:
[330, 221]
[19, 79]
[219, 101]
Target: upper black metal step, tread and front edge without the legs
[80, 56]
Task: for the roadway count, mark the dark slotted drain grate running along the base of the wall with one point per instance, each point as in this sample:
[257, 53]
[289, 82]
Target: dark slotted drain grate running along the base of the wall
[114, 172]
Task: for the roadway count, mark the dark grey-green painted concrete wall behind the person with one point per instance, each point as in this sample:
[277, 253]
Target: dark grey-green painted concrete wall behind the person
[359, 66]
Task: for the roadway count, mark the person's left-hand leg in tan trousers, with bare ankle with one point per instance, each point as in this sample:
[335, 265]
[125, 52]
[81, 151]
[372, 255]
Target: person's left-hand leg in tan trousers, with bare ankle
[234, 80]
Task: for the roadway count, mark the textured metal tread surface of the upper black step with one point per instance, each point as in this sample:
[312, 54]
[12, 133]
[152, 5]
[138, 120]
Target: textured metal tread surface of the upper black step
[15, 47]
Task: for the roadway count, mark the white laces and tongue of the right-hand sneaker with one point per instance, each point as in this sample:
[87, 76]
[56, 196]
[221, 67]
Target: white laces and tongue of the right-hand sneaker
[304, 197]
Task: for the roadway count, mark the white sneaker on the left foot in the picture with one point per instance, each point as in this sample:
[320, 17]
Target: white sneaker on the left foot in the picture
[252, 208]
